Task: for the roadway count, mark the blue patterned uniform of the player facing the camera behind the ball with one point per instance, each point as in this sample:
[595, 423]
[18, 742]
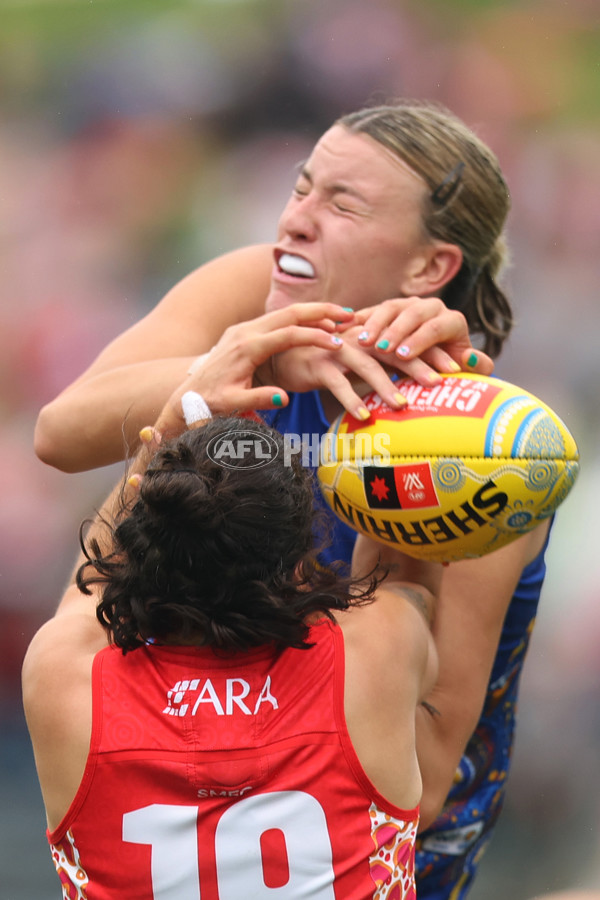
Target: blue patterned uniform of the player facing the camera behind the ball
[449, 851]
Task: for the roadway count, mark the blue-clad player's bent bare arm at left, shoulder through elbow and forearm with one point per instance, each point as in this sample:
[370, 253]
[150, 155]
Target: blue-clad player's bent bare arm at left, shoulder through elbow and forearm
[95, 420]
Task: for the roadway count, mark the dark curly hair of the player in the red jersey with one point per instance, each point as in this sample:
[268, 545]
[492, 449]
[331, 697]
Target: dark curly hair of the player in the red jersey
[217, 555]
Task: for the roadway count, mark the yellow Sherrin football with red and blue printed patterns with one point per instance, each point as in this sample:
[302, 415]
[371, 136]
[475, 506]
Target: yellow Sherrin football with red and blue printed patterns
[466, 467]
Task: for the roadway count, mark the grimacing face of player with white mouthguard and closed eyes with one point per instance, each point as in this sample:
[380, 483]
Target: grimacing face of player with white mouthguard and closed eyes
[351, 232]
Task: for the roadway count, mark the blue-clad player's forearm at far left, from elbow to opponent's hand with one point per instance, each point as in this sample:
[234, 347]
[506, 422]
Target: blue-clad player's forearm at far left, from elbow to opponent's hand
[97, 422]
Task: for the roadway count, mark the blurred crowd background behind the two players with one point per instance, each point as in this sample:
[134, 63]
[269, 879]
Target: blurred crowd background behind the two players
[139, 139]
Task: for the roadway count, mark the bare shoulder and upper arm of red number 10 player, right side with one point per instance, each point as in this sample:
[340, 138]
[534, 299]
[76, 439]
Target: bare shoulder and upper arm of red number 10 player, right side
[391, 663]
